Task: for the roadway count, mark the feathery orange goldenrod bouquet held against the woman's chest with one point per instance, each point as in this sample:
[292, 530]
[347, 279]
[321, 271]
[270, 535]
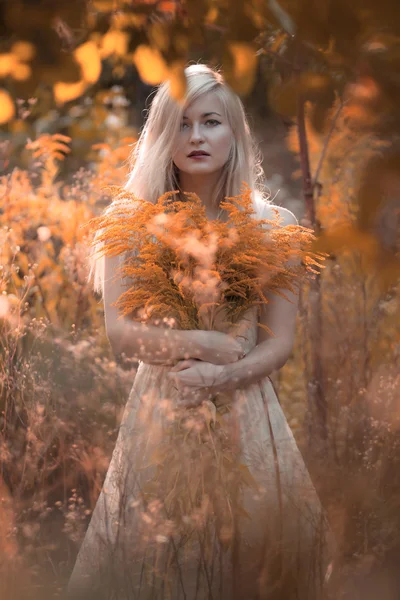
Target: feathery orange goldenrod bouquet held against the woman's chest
[188, 269]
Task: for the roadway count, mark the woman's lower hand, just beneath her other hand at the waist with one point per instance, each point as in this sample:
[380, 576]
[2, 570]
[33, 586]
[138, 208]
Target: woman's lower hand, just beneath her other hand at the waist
[198, 380]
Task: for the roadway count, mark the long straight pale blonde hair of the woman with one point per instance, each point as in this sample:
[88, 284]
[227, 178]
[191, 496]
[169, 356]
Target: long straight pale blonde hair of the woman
[153, 172]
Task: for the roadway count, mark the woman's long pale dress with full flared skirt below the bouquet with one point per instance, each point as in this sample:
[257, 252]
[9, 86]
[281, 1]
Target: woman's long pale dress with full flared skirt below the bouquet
[200, 506]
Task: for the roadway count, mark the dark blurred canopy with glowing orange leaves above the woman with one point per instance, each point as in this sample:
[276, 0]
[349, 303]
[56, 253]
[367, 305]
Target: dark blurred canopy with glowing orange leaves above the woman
[85, 68]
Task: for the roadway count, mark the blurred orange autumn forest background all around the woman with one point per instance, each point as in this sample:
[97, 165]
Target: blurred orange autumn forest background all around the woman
[320, 82]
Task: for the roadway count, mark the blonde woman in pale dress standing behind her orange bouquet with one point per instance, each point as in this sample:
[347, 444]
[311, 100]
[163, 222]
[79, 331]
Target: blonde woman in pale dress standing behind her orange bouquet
[257, 532]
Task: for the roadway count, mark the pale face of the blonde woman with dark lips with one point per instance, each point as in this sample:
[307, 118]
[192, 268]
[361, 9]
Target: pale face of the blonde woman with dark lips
[205, 137]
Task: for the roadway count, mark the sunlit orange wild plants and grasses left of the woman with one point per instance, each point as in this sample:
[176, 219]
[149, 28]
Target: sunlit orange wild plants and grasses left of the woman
[61, 391]
